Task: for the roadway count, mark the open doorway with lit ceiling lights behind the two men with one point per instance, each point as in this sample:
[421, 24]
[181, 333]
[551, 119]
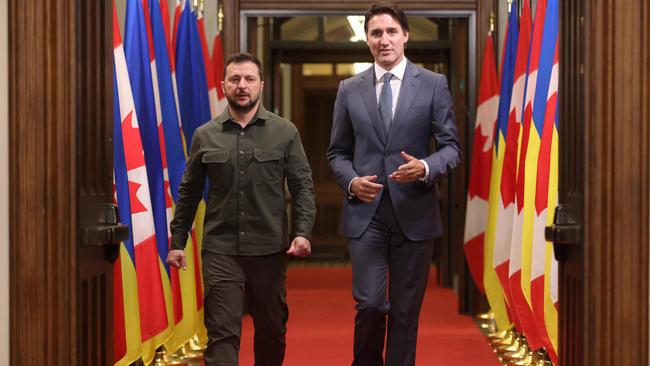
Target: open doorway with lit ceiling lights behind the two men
[306, 55]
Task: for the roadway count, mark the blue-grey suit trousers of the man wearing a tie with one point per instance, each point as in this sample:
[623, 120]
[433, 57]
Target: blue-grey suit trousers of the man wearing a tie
[389, 279]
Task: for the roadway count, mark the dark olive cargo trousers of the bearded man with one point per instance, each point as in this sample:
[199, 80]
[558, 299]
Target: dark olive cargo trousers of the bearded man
[261, 281]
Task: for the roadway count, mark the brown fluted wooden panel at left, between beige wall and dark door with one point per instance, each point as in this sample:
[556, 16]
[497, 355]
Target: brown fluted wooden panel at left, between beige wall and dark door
[42, 263]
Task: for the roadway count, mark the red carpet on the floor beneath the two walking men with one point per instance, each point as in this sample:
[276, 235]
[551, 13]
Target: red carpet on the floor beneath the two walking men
[321, 321]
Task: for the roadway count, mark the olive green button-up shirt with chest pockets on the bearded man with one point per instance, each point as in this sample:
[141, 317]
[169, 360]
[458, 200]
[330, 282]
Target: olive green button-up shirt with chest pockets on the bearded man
[246, 169]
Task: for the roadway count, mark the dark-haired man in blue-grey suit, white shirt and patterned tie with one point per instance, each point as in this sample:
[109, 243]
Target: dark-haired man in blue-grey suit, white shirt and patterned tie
[380, 153]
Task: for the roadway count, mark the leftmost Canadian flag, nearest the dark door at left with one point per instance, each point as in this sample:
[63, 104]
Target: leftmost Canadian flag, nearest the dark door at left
[135, 185]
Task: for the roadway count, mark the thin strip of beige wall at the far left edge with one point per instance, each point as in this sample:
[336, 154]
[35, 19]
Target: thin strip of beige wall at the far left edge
[4, 188]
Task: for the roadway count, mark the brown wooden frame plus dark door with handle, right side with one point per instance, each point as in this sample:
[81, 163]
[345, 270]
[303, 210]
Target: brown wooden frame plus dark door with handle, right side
[604, 183]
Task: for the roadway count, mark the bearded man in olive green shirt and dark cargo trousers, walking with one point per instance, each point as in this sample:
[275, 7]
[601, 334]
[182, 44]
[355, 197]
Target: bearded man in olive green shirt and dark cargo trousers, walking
[247, 153]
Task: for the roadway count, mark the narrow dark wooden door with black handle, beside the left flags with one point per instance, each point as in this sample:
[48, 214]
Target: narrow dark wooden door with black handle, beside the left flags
[97, 217]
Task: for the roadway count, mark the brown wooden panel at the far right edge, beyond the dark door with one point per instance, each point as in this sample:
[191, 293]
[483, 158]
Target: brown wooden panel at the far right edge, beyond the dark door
[616, 179]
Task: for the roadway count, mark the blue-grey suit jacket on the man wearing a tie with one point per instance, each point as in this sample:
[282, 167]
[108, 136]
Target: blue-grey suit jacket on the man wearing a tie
[360, 147]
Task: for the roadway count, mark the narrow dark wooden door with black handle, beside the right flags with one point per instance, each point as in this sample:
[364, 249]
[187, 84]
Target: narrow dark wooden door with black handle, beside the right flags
[567, 233]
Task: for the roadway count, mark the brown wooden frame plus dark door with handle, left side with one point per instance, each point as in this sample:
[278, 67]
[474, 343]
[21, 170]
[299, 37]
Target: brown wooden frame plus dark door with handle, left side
[60, 80]
